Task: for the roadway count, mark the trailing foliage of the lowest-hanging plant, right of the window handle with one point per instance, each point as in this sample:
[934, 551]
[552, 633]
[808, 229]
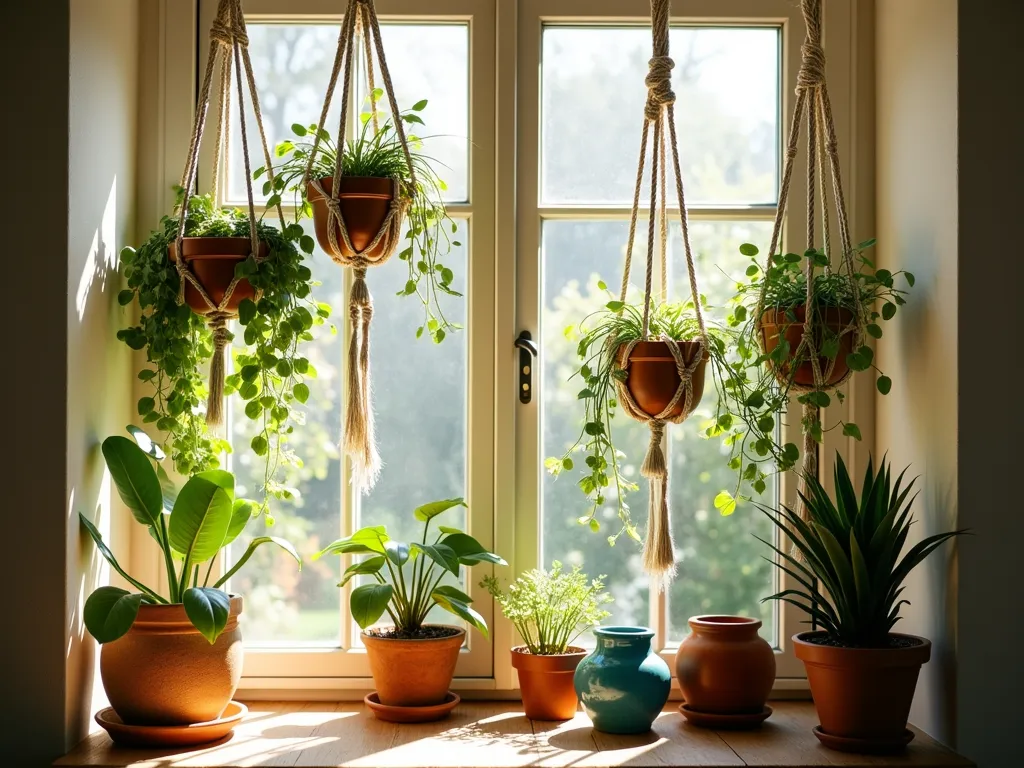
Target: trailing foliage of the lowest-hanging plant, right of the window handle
[602, 334]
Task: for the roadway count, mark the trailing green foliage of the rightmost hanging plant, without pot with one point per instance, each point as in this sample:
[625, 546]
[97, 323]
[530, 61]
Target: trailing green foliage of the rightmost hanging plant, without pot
[757, 391]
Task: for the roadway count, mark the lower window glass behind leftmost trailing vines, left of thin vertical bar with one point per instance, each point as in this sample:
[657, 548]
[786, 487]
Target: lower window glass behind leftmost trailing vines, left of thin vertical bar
[284, 605]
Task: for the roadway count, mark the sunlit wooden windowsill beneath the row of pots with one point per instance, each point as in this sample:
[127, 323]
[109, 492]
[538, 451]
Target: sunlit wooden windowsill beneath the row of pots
[495, 735]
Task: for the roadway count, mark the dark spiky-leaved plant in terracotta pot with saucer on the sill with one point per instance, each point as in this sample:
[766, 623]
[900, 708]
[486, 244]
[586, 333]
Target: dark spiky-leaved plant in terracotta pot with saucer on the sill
[863, 675]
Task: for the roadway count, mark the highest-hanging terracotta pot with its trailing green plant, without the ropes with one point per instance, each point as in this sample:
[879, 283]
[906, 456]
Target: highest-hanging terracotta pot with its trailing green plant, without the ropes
[377, 178]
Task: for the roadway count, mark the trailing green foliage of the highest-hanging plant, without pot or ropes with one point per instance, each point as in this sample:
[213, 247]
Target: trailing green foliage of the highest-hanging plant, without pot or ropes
[380, 155]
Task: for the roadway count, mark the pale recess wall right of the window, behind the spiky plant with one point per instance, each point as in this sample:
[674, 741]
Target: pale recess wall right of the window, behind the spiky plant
[917, 216]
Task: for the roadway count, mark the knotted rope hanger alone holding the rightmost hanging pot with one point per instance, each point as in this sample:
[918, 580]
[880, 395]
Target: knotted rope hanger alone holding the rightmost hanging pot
[823, 149]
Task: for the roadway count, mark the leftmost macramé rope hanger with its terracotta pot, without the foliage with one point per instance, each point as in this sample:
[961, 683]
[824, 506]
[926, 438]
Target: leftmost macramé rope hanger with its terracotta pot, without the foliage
[209, 282]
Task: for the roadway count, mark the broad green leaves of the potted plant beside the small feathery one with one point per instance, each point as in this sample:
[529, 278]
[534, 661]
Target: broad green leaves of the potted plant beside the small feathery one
[408, 577]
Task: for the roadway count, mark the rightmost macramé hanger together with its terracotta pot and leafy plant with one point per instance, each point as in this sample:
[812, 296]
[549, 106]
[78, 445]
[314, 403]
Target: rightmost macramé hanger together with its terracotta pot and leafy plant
[815, 313]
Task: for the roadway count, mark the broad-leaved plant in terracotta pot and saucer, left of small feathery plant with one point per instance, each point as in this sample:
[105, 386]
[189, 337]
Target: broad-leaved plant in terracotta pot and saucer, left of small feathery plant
[412, 662]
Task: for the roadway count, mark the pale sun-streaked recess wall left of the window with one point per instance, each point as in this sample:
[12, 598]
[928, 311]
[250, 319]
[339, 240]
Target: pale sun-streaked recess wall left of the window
[101, 214]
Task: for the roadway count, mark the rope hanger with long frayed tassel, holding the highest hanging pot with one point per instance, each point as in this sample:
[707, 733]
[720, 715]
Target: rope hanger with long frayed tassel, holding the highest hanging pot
[361, 20]
